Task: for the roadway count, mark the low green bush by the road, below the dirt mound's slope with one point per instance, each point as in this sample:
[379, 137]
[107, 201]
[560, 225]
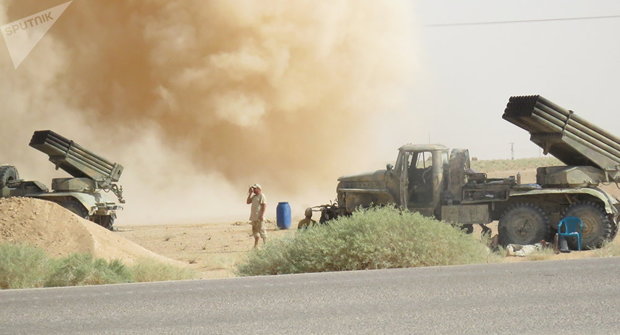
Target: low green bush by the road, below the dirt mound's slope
[83, 269]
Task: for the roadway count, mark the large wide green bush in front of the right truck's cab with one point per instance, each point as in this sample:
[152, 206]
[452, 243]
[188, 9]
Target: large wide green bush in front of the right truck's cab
[376, 238]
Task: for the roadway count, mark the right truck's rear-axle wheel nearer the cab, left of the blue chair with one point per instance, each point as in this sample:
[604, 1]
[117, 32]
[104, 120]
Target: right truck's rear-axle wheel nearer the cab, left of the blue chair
[523, 223]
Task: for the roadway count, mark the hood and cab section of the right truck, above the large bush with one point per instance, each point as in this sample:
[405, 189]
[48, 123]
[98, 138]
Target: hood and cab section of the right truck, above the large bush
[429, 179]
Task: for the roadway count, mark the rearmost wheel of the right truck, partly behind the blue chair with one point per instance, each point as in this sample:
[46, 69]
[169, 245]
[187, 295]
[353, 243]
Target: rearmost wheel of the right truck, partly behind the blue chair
[596, 225]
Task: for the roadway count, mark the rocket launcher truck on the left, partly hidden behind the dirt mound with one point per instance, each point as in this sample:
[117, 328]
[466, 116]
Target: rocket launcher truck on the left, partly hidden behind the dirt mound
[84, 194]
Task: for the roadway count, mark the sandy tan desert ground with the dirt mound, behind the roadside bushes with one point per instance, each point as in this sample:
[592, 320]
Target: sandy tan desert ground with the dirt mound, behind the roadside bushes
[211, 249]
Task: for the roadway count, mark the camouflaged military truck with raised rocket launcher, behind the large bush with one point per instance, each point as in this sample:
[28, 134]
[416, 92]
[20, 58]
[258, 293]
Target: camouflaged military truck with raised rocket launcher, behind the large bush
[438, 182]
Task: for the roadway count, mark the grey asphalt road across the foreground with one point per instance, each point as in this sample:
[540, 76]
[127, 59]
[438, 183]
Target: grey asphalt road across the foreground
[558, 297]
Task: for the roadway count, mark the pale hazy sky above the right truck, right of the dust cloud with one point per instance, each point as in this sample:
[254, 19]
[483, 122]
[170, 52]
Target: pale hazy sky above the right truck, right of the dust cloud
[467, 73]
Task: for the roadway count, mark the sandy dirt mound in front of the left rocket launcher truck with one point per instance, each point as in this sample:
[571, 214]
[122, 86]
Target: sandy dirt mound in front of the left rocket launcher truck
[59, 232]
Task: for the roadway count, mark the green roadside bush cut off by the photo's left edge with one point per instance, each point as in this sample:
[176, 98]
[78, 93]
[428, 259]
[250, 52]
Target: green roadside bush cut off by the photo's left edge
[22, 266]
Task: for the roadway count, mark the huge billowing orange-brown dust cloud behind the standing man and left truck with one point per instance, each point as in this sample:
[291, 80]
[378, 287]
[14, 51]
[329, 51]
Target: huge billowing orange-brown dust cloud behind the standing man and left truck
[199, 99]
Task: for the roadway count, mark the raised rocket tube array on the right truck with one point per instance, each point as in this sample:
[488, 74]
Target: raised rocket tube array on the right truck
[562, 133]
